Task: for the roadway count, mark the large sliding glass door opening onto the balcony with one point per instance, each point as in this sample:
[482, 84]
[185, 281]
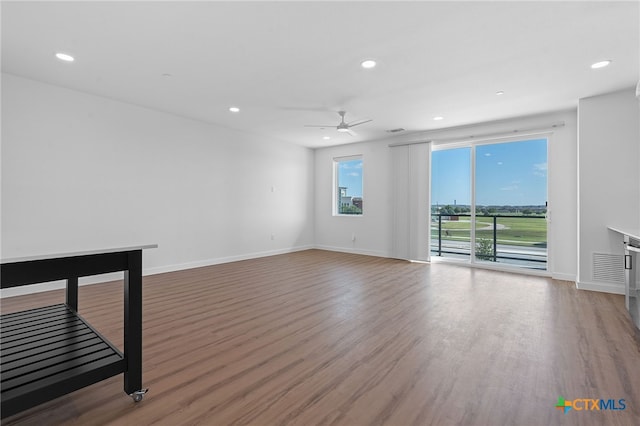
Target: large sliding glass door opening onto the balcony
[489, 203]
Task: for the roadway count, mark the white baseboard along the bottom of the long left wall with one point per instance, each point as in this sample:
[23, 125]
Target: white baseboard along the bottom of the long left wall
[97, 279]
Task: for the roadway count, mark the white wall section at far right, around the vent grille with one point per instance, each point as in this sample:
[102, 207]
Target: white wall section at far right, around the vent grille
[609, 178]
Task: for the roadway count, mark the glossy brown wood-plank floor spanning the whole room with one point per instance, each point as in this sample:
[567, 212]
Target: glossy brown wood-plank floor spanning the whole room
[318, 337]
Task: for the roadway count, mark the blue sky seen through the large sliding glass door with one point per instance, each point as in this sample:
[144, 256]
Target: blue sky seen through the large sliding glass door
[506, 174]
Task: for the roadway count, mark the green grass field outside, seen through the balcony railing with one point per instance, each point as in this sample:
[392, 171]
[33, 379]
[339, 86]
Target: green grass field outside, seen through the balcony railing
[525, 231]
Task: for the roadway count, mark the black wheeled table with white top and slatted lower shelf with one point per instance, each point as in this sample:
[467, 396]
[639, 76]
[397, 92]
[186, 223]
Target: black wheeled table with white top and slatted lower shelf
[51, 351]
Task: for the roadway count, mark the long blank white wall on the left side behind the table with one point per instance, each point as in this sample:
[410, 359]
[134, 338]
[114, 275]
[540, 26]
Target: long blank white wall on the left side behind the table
[81, 171]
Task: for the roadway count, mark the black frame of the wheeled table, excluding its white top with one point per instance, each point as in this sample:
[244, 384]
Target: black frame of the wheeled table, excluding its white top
[70, 268]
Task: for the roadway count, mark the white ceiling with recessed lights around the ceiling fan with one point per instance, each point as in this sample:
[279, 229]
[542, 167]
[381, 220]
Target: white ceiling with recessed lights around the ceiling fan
[287, 64]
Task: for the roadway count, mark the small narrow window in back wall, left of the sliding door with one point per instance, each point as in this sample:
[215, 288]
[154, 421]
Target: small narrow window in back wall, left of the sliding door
[348, 186]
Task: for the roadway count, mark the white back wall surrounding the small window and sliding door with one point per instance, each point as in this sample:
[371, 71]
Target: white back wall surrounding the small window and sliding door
[373, 229]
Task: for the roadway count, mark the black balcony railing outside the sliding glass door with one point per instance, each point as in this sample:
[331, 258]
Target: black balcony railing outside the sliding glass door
[509, 239]
